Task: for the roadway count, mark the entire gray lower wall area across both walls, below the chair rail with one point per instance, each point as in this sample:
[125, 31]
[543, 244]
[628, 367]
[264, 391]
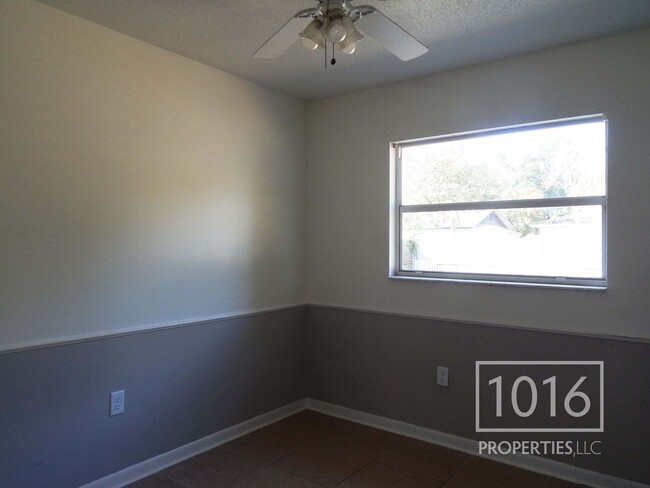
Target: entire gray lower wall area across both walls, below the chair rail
[188, 382]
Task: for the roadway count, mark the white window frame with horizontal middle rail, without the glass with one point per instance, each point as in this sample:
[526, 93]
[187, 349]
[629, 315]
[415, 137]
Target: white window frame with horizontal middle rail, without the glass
[398, 210]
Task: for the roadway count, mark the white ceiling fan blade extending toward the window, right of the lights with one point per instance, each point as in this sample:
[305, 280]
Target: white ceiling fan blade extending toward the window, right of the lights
[390, 35]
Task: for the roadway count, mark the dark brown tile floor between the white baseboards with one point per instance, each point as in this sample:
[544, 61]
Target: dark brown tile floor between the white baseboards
[310, 450]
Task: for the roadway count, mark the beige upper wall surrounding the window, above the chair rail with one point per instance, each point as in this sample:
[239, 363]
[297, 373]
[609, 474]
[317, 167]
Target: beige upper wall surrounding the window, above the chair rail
[348, 192]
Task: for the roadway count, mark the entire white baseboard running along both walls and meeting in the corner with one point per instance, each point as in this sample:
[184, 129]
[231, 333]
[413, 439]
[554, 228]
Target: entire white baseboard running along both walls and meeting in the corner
[533, 463]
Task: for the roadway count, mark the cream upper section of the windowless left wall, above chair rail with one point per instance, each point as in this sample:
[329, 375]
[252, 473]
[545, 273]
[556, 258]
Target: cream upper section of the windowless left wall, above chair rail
[137, 187]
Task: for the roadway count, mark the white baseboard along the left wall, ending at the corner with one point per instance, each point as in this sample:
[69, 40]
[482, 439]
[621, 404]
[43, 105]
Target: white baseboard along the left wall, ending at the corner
[155, 464]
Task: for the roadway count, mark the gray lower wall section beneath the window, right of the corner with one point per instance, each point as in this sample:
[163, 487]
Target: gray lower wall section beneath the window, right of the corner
[386, 365]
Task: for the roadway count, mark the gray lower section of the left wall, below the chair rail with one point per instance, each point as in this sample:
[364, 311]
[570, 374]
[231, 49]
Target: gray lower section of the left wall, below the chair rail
[181, 384]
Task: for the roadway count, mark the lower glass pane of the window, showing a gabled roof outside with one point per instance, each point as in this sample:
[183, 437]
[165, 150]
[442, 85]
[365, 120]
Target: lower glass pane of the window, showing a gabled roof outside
[546, 242]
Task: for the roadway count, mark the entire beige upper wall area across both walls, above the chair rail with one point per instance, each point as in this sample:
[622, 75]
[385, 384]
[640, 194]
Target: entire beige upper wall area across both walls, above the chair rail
[139, 188]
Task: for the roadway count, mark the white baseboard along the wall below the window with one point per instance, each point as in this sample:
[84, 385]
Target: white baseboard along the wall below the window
[537, 464]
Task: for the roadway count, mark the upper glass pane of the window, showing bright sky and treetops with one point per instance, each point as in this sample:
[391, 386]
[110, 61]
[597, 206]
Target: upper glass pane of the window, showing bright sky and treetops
[546, 162]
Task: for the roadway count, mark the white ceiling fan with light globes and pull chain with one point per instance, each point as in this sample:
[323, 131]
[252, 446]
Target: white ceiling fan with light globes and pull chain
[342, 24]
